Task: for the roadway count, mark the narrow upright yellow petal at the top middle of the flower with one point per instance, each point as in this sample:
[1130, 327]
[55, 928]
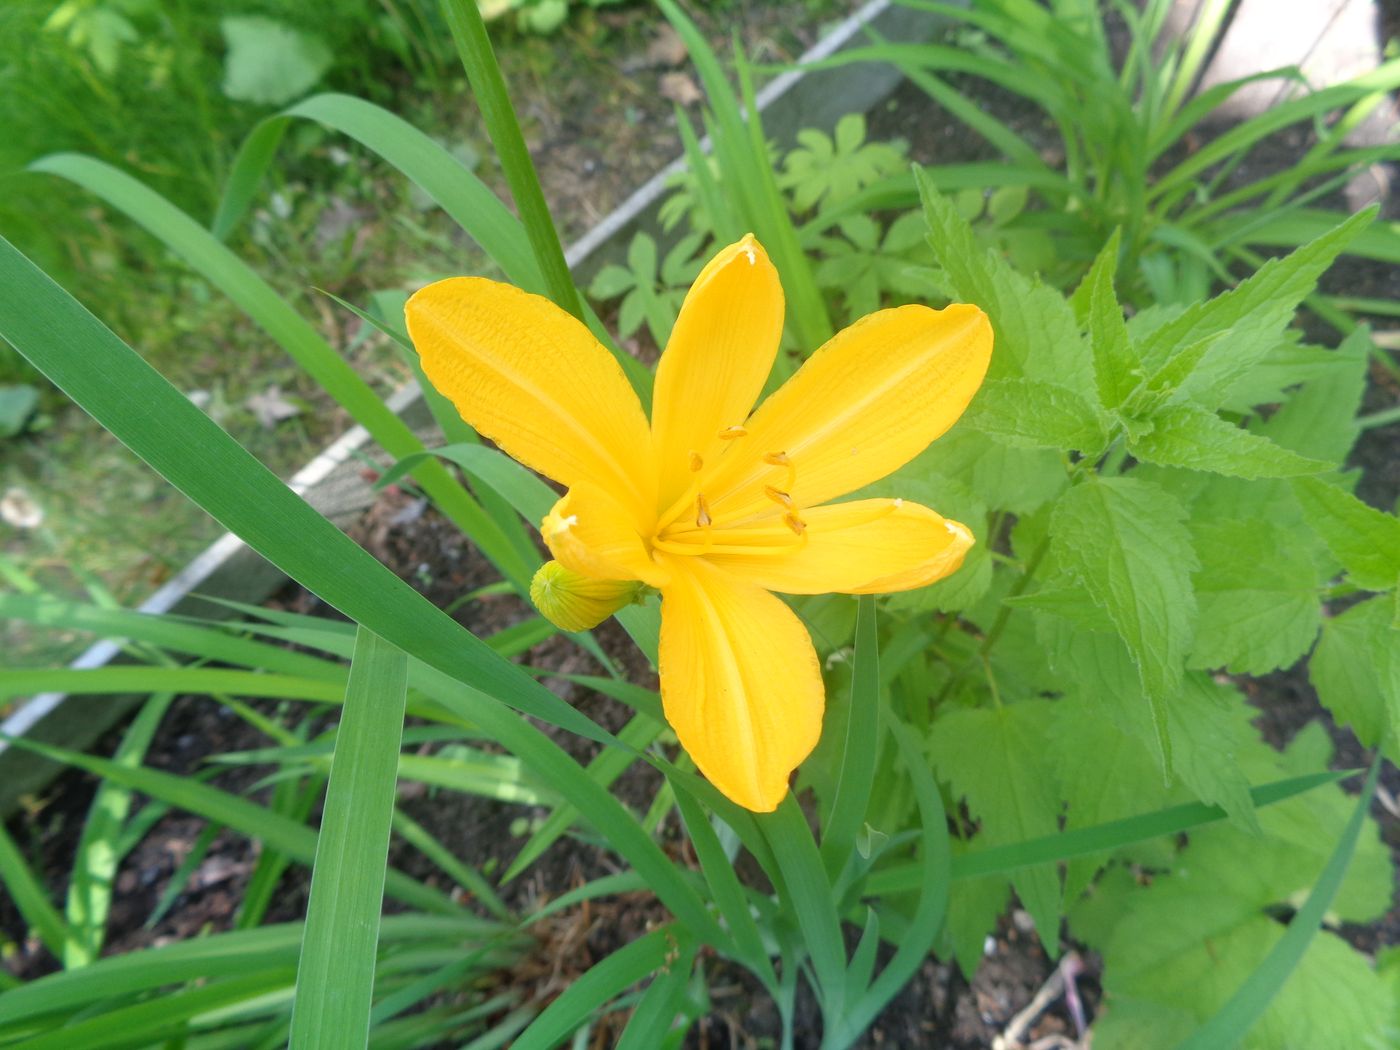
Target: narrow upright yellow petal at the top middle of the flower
[717, 360]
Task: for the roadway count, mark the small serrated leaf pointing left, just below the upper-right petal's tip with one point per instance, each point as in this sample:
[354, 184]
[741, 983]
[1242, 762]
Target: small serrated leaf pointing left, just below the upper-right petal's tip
[1032, 414]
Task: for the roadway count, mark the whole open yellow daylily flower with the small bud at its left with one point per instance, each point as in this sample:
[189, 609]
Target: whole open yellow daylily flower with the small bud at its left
[708, 503]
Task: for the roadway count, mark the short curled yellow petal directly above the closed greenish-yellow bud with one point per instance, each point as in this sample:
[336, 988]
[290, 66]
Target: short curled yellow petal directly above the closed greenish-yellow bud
[593, 534]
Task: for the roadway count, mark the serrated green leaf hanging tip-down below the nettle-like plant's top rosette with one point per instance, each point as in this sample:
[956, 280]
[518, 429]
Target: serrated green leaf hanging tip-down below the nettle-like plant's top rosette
[1126, 542]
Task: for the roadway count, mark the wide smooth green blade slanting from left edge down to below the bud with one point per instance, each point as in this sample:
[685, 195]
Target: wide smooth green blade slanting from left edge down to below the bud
[160, 425]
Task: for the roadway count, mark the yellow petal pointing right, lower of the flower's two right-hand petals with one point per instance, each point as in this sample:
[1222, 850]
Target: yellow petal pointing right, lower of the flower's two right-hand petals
[867, 547]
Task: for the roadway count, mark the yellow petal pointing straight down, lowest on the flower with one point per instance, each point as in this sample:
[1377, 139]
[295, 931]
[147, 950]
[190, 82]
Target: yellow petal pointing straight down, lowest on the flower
[740, 682]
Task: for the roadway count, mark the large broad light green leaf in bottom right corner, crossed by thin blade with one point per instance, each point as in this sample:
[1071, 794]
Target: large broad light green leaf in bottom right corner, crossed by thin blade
[1192, 939]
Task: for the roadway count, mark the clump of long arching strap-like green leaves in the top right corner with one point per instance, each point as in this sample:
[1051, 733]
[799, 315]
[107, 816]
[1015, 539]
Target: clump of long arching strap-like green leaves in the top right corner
[1126, 125]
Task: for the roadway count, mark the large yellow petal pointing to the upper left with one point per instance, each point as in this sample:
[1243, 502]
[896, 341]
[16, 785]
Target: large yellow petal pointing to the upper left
[537, 383]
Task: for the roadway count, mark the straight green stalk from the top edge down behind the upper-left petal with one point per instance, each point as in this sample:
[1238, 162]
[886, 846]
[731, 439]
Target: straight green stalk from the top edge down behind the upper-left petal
[484, 73]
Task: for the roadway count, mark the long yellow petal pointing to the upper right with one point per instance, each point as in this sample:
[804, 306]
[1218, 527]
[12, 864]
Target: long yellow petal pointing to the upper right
[862, 407]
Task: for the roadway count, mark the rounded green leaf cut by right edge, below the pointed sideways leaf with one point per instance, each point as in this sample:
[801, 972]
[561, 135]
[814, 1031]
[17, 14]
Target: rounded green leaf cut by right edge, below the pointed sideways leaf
[1357, 670]
